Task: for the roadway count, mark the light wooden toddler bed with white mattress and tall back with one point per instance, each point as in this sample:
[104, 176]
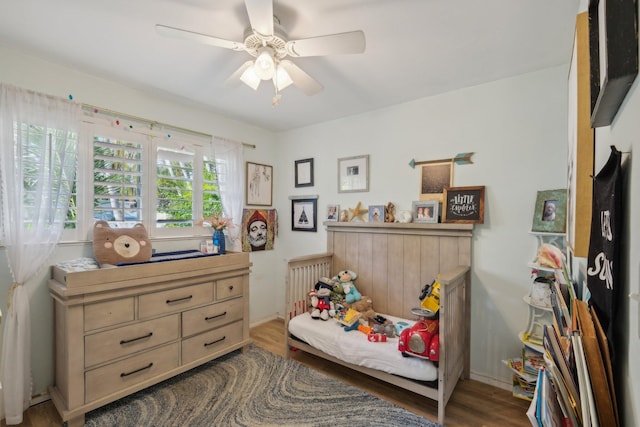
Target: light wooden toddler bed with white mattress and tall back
[393, 262]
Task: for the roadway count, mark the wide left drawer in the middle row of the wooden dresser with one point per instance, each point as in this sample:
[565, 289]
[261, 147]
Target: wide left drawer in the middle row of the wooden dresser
[108, 345]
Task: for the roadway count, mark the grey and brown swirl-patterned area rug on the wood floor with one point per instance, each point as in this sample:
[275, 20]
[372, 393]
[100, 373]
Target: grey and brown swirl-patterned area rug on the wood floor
[254, 388]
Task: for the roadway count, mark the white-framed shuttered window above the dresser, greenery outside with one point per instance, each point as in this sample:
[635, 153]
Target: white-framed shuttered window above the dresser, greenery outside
[128, 175]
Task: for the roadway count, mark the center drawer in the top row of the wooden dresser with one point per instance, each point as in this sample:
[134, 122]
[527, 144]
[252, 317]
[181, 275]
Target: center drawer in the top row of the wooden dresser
[174, 300]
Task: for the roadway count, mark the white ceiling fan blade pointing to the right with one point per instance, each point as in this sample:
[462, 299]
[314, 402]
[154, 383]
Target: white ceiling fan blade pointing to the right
[351, 42]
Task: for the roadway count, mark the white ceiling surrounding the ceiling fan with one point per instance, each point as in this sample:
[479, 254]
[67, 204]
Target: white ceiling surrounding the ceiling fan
[414, 48]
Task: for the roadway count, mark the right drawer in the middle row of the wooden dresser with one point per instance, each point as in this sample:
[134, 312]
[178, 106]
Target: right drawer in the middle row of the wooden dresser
[211, 316]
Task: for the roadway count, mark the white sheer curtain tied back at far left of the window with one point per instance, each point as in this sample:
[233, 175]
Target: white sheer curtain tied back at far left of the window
[38, 135]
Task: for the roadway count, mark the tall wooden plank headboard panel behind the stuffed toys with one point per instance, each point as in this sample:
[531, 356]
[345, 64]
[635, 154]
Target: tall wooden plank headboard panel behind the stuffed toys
[394, 261]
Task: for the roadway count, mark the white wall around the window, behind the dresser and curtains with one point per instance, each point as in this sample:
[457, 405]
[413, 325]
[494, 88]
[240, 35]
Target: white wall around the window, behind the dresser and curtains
[46, 77]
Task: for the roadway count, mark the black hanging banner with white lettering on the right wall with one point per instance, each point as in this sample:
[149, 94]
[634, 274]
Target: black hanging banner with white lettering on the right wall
[603, 263]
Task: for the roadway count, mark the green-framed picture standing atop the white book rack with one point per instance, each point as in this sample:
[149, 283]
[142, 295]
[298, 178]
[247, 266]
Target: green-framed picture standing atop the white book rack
[550, 214]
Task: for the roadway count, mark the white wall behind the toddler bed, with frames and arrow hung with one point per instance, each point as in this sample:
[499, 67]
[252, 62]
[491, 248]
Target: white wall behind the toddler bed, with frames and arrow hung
[518, 131]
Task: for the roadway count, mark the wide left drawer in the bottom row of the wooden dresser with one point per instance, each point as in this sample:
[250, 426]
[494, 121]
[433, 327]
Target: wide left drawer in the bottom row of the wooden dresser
[129, 372]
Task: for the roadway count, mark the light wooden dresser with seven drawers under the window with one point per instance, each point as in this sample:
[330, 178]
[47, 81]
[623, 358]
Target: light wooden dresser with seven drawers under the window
[119, 330]
